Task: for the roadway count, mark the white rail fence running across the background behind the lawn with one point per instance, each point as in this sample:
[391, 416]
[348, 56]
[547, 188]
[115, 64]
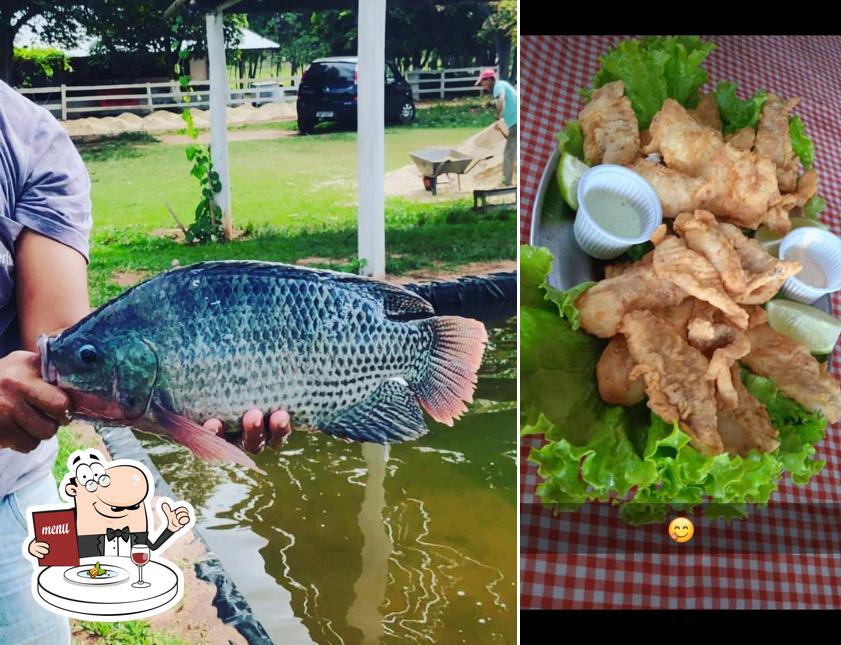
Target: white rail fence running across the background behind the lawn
[67, 101]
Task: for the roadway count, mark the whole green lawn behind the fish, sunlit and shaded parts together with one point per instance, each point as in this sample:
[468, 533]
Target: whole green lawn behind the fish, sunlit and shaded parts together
[294, 198]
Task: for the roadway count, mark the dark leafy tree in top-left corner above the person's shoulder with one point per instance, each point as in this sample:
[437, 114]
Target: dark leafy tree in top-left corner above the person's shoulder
[58, 25]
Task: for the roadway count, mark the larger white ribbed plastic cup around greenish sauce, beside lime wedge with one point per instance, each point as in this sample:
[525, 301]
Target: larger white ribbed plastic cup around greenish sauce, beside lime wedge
[626, 184]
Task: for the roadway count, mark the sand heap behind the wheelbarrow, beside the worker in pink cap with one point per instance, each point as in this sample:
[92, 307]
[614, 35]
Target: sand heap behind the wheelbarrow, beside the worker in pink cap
[408, 182]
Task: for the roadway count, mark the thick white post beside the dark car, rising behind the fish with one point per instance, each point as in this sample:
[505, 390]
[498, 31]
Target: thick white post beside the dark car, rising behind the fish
[371, 137]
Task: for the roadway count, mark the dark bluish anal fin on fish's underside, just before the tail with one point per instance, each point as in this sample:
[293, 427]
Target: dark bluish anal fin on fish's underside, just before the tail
[389, 415]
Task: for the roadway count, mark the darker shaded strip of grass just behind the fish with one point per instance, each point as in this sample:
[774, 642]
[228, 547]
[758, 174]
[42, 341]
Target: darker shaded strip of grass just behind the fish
[444, 239]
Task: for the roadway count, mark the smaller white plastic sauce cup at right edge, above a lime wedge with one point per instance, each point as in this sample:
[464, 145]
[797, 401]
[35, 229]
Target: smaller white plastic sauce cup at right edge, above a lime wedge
[824, 249]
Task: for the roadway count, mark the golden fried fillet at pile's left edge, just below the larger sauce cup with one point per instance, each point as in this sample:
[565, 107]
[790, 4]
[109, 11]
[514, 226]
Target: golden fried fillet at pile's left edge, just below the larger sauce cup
[603, 305]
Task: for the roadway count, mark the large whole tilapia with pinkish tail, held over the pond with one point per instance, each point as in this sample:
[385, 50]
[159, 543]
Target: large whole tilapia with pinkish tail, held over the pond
[352, 357]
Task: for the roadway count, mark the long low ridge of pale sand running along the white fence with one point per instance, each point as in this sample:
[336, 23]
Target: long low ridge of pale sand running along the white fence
[164, 121]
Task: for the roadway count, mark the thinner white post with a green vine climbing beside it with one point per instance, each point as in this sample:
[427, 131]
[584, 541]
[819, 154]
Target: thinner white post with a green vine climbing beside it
[218, 116]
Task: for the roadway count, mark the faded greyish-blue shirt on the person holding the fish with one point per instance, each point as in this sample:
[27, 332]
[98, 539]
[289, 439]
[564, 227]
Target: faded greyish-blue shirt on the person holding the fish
[45, 187]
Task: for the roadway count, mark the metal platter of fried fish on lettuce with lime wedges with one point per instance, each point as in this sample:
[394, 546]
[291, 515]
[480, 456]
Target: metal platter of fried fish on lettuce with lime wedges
[663, 378]
